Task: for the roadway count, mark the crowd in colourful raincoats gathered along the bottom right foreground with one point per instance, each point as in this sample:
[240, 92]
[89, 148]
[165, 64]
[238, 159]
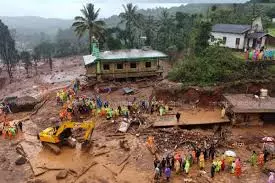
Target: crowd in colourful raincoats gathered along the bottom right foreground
[181, 163]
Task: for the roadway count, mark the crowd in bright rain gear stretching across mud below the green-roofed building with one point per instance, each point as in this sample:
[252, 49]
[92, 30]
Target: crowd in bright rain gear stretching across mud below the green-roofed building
[74, 105]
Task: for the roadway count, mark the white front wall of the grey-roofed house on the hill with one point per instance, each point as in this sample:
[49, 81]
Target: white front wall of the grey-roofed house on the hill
[230, 39]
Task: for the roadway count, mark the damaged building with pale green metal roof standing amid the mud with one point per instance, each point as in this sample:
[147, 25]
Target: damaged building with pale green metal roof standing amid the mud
[132, 63]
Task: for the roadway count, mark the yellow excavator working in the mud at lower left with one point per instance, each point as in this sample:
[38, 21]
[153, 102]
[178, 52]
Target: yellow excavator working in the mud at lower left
[55, 137]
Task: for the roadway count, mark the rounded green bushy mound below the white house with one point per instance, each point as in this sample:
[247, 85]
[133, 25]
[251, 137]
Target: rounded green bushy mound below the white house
[216, 64]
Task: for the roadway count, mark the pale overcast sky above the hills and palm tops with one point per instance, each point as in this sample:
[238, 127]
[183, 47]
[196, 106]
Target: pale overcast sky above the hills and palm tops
[67, 9]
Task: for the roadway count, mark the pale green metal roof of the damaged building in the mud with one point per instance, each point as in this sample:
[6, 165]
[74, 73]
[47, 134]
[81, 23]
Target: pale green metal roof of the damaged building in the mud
[131, 54]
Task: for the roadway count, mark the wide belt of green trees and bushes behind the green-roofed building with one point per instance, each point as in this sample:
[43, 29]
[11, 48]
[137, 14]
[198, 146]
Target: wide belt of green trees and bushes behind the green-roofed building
[169, 30]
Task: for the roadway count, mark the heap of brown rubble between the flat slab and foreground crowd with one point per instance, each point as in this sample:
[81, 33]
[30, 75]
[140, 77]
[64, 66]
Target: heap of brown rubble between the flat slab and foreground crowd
[173, 138]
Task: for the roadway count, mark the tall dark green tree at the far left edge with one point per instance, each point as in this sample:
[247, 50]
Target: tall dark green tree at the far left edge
[8, 53]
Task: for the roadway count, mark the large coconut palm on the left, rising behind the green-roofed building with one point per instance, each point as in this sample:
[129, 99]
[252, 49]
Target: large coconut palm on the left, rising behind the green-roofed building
[88, 22]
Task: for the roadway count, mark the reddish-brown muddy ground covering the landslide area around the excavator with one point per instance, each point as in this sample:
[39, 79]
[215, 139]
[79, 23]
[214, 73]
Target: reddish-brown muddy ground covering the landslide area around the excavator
[108, 168]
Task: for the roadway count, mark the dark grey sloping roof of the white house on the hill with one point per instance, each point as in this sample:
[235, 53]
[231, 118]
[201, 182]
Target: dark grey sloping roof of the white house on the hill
[231, 28]
